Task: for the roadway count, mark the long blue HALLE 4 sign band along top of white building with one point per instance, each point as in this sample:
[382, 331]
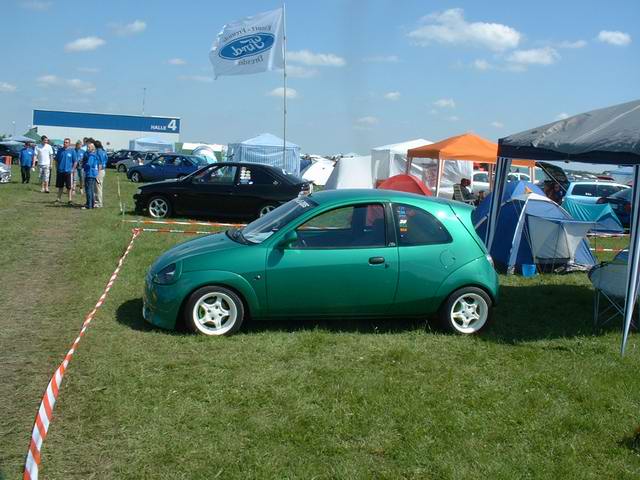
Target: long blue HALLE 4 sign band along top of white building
[102, 121]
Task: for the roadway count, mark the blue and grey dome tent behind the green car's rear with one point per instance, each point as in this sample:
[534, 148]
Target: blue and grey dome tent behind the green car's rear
[532, 229]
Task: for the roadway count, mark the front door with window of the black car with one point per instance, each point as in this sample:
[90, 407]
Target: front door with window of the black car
[209, 192]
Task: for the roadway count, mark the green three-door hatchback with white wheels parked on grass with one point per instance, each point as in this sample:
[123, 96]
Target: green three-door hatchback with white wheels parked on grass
[340, 253]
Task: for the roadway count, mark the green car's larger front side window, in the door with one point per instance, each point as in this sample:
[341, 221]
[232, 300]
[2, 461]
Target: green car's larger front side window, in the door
[354, 226]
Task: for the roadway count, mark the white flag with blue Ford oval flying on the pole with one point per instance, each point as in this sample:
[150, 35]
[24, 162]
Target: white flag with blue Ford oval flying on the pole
[250, 45]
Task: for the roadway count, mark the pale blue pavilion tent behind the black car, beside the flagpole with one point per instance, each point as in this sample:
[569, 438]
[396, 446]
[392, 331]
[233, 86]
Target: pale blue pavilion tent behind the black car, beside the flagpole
[268, 150]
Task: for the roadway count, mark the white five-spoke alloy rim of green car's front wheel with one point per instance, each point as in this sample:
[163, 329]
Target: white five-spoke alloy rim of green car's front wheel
[214, 313]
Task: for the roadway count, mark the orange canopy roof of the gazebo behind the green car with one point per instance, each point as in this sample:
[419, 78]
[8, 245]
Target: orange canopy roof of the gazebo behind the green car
[468, 146]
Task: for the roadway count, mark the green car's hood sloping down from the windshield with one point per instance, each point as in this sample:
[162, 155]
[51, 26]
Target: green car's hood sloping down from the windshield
[189, 252]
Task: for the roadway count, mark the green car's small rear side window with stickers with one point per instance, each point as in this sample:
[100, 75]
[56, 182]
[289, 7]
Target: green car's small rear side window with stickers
[415, 226]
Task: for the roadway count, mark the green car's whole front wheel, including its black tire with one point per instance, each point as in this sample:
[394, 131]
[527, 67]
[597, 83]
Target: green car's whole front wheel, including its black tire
[205, 318]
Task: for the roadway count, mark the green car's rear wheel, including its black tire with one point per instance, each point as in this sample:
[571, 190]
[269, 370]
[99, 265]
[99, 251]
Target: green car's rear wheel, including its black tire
[458, 313]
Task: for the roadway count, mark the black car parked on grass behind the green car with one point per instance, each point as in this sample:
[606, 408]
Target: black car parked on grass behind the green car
[221, 190]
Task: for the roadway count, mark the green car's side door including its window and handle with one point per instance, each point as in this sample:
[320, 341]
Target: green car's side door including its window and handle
[344, 263]
